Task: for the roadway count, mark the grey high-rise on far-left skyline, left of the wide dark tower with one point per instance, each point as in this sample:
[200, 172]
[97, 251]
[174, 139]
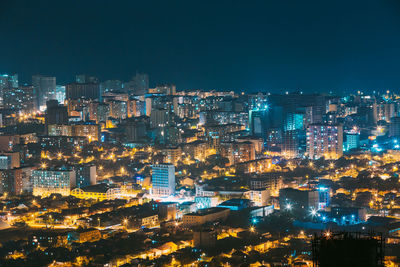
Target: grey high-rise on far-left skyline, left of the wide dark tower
[45, 88]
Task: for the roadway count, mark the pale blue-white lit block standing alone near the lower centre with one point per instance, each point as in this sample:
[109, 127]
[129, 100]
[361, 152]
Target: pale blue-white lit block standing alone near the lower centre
[163, 179]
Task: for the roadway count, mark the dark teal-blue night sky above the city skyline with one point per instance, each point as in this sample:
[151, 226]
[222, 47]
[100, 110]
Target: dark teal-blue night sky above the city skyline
[243, 45]
